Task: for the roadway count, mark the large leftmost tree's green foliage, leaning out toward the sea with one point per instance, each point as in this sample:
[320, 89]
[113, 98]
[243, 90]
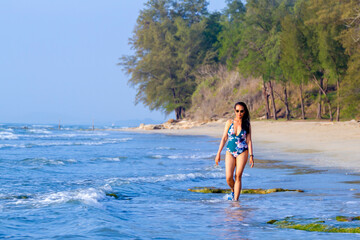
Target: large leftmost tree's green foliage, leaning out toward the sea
[171, 39]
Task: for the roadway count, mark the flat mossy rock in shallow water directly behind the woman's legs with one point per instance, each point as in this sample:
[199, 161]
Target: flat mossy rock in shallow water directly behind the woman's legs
[244, 191]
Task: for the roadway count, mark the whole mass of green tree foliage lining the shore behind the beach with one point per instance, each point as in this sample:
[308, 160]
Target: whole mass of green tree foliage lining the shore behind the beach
[302, 42]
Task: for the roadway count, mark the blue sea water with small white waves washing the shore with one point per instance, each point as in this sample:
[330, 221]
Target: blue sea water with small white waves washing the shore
[81, 184]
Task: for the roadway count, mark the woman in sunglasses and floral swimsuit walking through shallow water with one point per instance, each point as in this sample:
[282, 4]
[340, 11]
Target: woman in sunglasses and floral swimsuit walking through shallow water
[238, 132]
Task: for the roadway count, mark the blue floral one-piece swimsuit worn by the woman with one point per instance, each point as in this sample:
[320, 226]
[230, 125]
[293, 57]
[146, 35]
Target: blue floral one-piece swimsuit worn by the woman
[236, 144]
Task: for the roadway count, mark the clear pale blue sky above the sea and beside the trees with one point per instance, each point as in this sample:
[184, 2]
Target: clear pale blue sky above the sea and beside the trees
[58, 61]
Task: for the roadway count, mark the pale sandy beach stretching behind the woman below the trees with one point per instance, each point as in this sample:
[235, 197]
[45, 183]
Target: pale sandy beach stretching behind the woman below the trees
[333, 144]
